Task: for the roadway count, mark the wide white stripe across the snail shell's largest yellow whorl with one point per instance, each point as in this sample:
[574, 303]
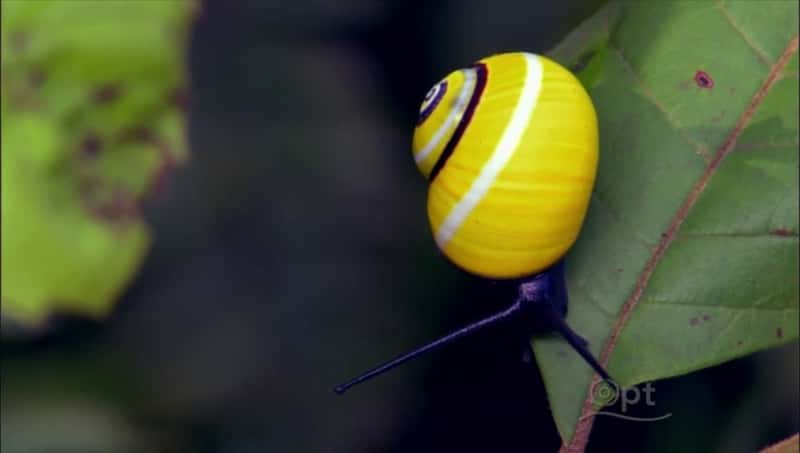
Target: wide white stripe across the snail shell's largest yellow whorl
[508, 143]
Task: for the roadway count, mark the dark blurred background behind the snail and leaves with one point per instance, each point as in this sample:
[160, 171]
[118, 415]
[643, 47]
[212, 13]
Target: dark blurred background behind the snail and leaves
[293, 252]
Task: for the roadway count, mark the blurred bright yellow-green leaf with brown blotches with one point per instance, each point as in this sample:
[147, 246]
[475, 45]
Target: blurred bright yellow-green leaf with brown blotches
[91, 124]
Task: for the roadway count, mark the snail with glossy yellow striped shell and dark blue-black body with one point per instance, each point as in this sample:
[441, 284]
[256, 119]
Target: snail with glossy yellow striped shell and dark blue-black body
[509, 148]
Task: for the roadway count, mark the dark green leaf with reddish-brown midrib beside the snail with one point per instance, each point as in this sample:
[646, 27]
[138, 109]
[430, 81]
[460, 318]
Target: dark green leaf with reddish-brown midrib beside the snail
[689, 253]
